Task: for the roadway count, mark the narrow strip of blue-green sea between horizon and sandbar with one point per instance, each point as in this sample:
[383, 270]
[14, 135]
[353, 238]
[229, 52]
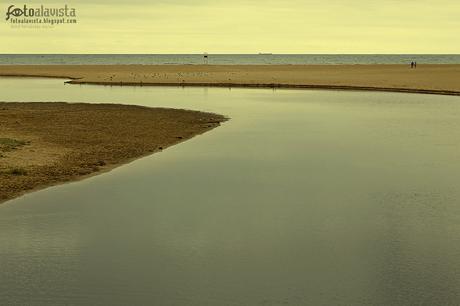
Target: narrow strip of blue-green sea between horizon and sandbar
[225, 59]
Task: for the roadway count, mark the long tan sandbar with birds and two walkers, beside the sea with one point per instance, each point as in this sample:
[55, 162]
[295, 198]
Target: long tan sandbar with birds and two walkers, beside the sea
[434, 79]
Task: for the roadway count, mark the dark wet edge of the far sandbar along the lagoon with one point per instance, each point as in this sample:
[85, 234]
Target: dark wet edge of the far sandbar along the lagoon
[275, 86]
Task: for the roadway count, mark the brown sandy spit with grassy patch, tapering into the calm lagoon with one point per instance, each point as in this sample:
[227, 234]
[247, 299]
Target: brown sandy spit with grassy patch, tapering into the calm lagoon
[44, 144]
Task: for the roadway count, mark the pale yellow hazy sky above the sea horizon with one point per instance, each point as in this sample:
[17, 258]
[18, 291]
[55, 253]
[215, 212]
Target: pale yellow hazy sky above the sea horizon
[251, 26]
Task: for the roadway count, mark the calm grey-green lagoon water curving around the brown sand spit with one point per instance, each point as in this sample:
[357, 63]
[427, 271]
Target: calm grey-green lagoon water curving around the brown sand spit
[303, 198]
